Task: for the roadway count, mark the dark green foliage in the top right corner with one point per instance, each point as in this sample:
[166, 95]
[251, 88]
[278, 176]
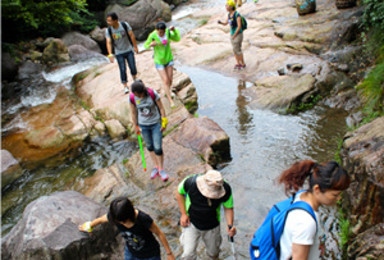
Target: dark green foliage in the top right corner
[373, 14]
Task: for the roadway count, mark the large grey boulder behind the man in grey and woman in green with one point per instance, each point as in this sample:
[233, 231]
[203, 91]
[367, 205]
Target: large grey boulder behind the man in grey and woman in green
[142, 15]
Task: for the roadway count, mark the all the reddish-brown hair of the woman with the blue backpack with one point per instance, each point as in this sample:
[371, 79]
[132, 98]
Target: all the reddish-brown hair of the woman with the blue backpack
[328, 176]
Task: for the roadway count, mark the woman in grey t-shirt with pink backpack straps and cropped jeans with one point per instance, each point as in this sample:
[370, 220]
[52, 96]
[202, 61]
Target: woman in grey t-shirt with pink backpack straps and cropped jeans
[148, 117]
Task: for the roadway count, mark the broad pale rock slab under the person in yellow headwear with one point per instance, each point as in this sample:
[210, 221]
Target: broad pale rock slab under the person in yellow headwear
[278, 43]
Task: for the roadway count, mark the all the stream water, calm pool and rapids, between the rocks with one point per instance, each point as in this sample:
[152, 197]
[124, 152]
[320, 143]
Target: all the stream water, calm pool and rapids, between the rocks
[263, 143]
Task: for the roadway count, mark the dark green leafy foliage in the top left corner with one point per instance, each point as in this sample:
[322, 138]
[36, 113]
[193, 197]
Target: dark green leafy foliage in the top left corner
[23, 18]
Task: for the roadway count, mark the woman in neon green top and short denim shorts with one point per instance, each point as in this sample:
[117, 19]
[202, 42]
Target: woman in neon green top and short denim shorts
[160, 40]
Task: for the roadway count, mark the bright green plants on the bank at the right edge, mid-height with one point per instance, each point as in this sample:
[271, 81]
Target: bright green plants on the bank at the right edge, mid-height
[371, 92]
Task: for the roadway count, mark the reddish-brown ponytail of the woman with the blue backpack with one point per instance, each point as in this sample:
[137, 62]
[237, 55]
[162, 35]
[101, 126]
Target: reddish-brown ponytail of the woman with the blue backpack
[294, 177]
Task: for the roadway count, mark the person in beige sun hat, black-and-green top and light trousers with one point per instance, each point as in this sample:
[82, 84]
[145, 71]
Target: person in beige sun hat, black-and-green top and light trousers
[200, 198]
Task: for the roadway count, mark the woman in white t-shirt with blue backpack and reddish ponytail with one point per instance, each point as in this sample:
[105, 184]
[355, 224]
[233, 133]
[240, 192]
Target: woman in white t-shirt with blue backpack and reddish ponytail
[292, 229]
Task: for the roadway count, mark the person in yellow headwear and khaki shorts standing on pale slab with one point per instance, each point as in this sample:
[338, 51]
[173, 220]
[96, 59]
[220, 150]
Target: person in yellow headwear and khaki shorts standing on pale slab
[236, 34]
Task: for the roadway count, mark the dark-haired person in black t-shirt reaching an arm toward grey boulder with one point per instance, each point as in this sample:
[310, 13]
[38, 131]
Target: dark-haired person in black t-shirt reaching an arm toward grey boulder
[136, 227]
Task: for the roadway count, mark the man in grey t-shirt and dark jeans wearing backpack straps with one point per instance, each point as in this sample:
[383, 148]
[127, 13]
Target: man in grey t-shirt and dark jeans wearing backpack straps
[120, 37]
